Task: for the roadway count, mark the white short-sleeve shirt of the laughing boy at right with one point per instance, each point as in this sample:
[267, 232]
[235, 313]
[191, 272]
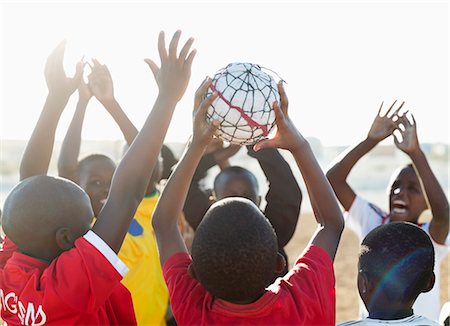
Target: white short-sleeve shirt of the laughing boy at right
[363, 217]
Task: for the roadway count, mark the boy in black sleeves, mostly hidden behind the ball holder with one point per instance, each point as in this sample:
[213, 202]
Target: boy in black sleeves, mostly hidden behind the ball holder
[283, 198]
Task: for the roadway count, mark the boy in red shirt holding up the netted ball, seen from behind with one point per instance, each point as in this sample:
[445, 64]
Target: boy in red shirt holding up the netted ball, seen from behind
[235, 252]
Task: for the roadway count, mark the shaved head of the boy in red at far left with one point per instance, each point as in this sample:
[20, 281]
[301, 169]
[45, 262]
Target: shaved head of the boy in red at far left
[44, 216]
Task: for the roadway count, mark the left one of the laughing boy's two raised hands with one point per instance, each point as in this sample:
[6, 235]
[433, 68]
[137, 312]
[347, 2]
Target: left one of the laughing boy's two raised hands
[384, 125]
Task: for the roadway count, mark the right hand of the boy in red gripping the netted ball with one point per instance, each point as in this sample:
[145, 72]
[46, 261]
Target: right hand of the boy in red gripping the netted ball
[287, 135]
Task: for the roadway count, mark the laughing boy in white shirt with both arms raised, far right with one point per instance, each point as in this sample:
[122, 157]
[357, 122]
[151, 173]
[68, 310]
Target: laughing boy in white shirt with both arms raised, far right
[414, 188]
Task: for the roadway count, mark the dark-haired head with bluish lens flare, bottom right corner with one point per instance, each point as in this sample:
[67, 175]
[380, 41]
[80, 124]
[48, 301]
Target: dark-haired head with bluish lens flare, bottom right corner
[396, 264]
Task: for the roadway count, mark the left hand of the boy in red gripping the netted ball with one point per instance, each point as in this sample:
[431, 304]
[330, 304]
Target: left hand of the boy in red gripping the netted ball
[203, 131]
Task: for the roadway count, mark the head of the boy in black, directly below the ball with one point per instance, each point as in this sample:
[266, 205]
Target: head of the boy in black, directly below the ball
[235, 181]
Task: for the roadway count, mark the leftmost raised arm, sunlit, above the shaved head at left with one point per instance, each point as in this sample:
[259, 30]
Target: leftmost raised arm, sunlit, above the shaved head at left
[36, 157]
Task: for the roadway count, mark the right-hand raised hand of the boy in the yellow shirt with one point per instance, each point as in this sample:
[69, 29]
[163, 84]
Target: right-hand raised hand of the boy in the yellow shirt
[100, 82]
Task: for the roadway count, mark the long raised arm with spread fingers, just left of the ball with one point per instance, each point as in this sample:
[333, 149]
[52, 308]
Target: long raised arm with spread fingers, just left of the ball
[131, 177]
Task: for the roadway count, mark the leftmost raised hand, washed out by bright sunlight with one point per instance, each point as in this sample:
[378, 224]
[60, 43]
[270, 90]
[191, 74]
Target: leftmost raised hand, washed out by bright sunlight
[58, 83]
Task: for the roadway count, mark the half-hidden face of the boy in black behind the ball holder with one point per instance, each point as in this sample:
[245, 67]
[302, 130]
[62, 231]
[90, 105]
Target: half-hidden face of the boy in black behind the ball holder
[237, 187]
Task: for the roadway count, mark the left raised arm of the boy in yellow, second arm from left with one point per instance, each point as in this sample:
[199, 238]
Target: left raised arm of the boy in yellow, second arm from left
[70, 148]
